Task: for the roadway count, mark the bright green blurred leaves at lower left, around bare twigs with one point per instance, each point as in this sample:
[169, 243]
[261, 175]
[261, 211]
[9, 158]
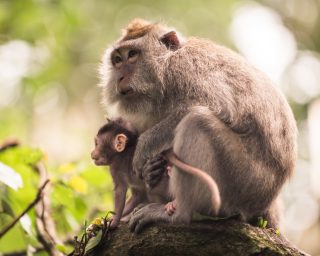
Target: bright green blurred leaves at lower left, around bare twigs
[78, 192]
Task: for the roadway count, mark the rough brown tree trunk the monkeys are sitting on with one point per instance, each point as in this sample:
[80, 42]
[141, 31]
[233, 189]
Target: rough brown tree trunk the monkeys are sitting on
[227, 237]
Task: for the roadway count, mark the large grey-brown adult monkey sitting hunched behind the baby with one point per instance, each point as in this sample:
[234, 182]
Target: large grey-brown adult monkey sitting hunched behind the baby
[218, 113]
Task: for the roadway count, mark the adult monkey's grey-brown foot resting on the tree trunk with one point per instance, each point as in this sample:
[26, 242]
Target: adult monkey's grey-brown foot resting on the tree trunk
[151, 213]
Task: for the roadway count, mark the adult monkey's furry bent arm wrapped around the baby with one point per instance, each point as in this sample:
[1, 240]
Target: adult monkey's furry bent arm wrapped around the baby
[154, 141]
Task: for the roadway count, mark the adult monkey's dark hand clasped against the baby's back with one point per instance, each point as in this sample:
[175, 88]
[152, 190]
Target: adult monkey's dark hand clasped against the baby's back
[153, 170]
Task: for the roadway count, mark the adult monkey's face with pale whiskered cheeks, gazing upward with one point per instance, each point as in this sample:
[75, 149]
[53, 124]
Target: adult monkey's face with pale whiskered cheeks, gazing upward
[131, 78]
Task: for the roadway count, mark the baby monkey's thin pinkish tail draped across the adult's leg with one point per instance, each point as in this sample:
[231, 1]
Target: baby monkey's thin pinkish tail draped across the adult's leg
[206, 178]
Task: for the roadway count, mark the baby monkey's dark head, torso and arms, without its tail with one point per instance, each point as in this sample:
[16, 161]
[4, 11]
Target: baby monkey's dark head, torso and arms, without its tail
[114, 146]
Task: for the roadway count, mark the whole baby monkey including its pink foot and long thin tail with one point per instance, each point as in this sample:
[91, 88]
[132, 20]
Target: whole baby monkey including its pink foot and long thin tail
[114, 146]
